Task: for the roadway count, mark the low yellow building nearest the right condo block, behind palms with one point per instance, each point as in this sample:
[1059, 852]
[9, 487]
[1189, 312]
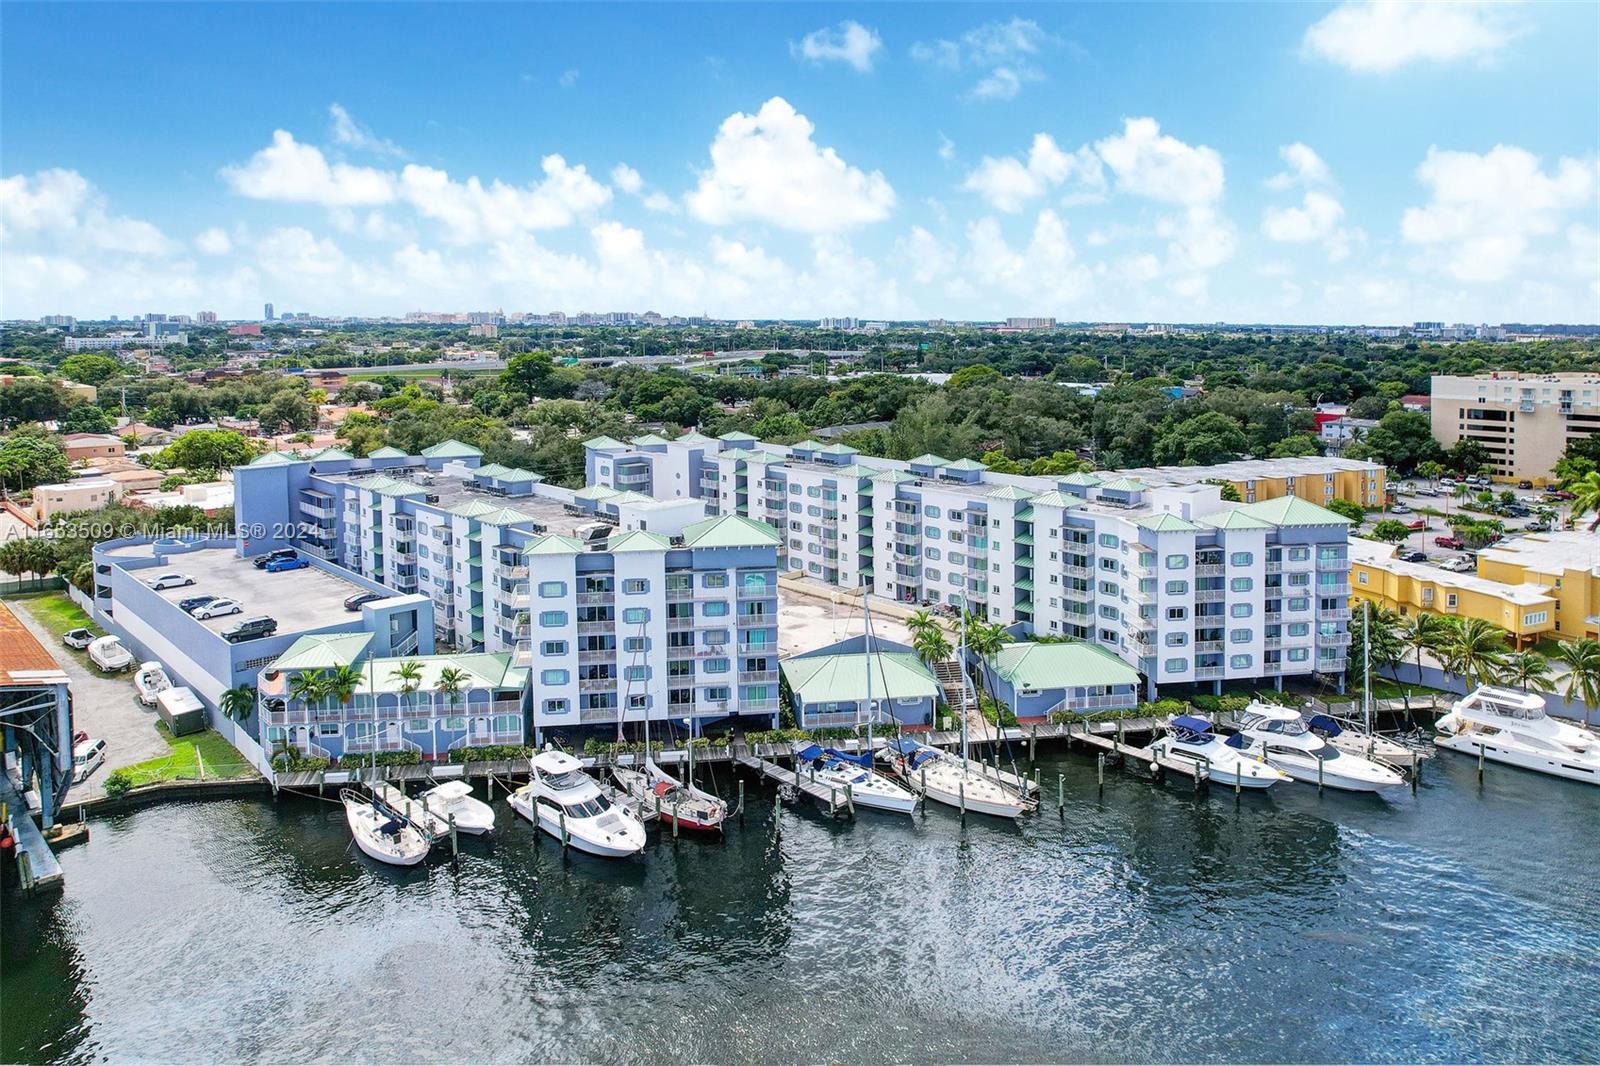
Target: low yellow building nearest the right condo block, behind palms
[1522, 606]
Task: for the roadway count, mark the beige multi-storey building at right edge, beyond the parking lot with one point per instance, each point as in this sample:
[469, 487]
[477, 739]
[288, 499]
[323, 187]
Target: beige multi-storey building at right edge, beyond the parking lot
[1522, 420]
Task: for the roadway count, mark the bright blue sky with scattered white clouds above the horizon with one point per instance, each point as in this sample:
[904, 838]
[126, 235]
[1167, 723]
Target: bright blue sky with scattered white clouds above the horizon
[1353, 162]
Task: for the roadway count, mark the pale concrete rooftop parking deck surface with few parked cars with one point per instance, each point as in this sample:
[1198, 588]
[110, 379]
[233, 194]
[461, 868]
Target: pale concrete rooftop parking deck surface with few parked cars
[300, 599]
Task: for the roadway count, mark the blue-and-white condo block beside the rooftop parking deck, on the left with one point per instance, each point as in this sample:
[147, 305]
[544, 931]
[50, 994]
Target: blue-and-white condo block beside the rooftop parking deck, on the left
[615, 604]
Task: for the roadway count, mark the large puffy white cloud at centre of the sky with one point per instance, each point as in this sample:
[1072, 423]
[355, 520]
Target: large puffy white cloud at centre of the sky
[769, 169]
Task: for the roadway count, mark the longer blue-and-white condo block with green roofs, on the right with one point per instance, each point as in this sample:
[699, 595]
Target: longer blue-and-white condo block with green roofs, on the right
[1172, 579]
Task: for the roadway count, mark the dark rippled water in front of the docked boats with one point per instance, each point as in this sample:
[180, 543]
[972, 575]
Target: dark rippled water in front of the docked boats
[1148, 924]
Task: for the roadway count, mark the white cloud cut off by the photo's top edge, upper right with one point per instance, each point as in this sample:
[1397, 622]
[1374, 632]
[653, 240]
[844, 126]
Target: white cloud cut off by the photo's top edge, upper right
[1383, 36]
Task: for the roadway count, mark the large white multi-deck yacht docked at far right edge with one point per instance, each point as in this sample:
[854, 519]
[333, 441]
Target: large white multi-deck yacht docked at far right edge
[1513, 727]
